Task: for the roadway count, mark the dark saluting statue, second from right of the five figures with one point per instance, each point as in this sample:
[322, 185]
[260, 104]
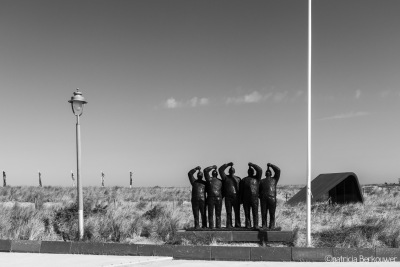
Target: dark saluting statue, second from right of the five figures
[249, 188]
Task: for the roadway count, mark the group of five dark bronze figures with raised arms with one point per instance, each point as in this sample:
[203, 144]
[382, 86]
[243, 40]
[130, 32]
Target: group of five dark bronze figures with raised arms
[208, 194]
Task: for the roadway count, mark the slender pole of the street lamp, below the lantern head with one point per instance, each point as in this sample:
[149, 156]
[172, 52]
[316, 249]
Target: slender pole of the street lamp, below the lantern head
[78, 176]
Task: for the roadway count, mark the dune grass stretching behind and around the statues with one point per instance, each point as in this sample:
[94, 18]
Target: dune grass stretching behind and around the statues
[153, 215]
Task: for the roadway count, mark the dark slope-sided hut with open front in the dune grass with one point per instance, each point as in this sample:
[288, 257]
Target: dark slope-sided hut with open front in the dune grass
[340, 188]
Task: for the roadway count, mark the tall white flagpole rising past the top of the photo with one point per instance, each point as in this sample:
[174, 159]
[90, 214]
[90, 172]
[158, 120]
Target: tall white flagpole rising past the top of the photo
[309, 130]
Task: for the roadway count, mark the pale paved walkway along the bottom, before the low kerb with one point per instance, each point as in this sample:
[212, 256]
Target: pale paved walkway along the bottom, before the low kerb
[68, 260]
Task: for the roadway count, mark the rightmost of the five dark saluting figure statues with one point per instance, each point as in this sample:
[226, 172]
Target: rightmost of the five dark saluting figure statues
[268, 195]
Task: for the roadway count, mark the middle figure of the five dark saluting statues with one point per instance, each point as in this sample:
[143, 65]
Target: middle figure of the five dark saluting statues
[230, 190]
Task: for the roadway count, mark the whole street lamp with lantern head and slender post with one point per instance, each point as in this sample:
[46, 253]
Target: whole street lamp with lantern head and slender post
[77, 102]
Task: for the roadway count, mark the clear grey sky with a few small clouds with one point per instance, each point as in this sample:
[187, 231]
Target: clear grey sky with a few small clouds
[176, 84]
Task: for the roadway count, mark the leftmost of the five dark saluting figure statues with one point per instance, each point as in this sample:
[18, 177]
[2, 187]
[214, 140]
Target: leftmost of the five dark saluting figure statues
[198, 197]
